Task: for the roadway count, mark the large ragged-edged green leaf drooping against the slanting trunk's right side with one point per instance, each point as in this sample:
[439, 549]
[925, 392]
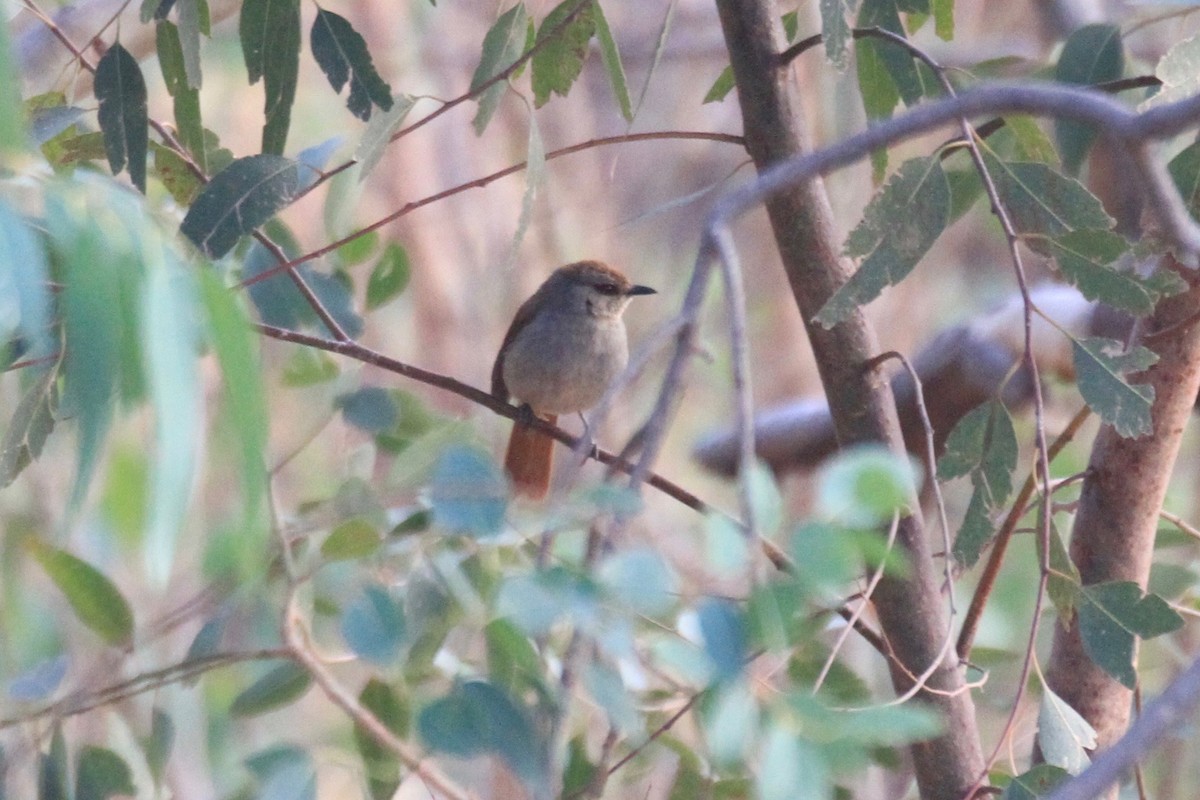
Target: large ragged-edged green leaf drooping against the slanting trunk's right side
[898, 228]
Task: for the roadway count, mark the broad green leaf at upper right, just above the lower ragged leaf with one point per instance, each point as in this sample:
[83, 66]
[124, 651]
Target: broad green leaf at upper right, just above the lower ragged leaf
[1042, 202]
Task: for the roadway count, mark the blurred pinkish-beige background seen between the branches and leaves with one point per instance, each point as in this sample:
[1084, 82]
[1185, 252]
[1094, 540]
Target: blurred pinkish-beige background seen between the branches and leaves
[637, 206]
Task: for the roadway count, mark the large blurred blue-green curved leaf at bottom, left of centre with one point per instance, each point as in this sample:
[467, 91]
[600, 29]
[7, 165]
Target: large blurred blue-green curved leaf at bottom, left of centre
[476, 719]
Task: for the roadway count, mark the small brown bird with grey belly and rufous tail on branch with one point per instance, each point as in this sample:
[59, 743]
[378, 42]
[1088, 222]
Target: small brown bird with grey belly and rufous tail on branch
[565, 347]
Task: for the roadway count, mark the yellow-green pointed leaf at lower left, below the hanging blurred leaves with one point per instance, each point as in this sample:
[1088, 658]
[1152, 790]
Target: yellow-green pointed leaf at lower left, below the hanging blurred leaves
[95, 600]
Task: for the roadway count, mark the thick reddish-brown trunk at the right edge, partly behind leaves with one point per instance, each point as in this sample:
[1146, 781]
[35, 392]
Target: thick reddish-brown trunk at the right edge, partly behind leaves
[1123, 495]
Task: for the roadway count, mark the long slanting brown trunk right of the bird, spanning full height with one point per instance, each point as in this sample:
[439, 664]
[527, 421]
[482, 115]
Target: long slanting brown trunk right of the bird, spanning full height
[911, 611]
